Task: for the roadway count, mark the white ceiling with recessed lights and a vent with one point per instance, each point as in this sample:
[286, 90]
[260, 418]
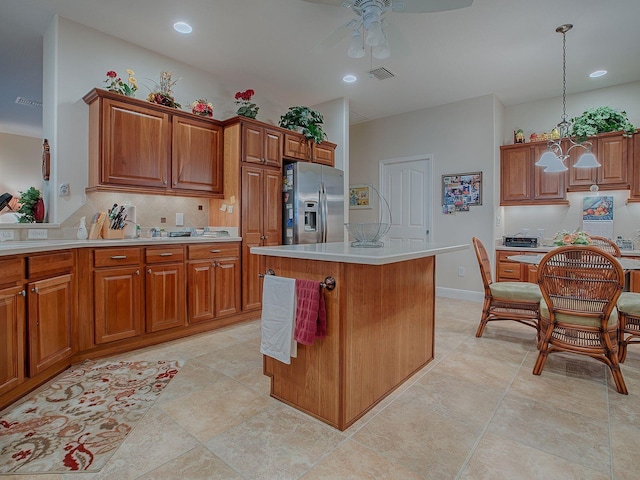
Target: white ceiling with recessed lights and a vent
[294, 52]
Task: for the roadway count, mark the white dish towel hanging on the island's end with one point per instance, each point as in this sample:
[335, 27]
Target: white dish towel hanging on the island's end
[278, 318]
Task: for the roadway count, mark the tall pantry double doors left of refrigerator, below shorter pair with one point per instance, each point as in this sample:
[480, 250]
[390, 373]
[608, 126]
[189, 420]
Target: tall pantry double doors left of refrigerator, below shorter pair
[261, 226]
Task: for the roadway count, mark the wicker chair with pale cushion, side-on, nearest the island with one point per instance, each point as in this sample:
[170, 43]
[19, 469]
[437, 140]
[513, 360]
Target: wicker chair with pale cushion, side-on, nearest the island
[517, 301]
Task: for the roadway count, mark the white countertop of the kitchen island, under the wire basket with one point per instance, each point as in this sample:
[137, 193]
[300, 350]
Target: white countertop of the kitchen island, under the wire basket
[343, 252]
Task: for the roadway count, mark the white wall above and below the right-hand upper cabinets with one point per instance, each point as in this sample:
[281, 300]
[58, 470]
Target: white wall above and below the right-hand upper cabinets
[542, 116]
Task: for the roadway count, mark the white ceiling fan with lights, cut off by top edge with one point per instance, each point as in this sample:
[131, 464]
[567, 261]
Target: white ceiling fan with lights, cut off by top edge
[369, 29]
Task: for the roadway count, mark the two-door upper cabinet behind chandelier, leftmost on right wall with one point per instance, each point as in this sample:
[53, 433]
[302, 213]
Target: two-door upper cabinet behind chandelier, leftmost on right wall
[522, 183]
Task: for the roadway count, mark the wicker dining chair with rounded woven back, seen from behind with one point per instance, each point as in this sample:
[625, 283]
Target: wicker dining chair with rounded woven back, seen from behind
[580, 287]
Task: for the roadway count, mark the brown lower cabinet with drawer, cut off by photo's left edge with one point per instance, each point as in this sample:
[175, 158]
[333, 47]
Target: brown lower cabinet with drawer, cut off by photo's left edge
[12, 324]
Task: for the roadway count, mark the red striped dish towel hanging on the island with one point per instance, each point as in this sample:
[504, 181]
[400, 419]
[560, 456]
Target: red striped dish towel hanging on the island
[311, 315]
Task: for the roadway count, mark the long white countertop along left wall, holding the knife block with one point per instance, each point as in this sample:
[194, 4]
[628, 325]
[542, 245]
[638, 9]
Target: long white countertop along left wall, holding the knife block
[31, 246]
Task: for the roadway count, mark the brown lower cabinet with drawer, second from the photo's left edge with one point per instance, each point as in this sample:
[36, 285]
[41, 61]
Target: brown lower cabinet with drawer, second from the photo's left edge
[51, 306]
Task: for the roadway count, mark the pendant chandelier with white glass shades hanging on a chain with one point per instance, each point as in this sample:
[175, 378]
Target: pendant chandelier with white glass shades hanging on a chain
[554, 158]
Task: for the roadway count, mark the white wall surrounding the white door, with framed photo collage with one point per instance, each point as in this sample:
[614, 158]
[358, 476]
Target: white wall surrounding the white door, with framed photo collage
[461, 138]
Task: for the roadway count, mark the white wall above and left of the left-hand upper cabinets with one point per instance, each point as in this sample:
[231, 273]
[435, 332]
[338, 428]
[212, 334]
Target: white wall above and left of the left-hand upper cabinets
[76, 59]
